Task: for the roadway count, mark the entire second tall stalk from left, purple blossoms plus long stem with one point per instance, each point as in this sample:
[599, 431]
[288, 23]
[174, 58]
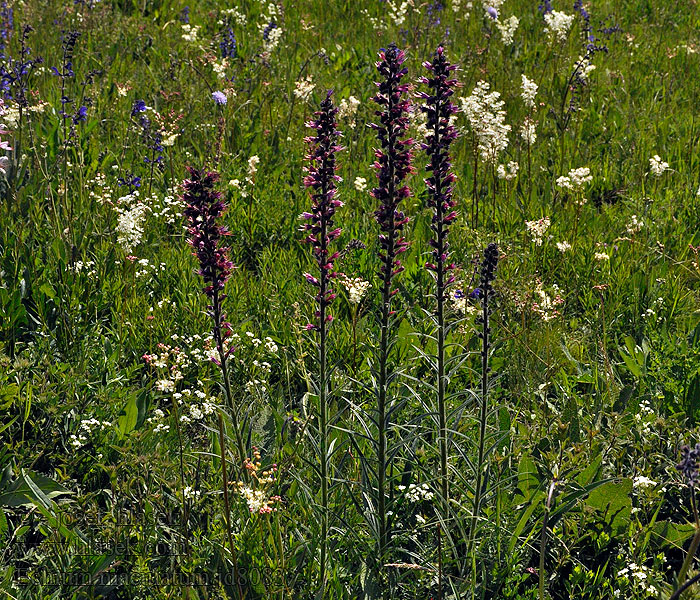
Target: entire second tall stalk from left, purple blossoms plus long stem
[321, 181]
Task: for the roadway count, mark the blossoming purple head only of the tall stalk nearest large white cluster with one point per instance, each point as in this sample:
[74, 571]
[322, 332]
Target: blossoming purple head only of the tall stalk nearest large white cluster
[439, 110]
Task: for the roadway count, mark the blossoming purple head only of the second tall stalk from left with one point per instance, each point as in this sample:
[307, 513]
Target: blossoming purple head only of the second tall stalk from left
[321, 180]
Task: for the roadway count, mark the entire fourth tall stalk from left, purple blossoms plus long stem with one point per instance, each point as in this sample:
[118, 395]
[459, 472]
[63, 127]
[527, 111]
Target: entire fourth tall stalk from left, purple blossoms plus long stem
[441, 133]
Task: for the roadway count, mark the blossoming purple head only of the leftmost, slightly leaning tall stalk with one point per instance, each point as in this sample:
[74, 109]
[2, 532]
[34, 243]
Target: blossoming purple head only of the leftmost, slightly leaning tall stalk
[204, 207]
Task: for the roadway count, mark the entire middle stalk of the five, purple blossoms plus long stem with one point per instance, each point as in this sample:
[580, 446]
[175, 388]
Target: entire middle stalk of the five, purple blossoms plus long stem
[393, 165]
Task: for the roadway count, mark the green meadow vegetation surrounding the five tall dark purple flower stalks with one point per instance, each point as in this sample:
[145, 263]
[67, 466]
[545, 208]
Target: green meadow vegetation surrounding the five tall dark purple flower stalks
[111, 481]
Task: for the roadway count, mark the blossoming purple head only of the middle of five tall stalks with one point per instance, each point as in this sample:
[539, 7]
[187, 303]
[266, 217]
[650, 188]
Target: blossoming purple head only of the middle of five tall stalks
[393, 162]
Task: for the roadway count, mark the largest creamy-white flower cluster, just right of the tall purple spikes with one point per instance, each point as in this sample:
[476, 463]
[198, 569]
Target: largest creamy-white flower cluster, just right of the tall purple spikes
[484, 111]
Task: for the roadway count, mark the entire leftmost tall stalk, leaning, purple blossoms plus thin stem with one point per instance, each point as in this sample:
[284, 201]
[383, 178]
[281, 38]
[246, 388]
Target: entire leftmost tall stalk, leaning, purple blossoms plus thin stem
[203, 209]
